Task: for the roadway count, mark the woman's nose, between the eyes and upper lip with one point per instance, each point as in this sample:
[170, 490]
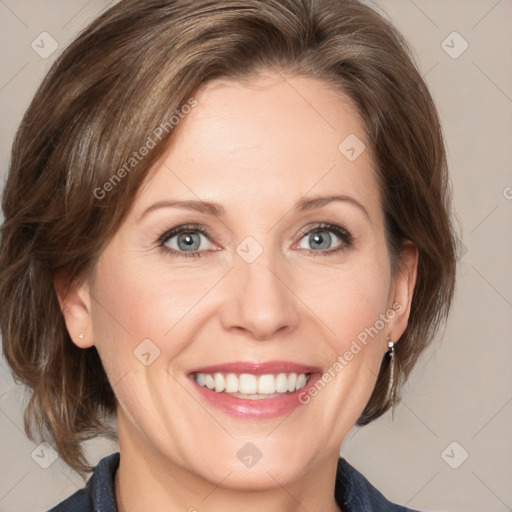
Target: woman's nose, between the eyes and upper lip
[258, 300]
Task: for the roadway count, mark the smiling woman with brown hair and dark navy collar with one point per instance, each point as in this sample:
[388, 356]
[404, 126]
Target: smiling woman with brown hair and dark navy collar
[227, 228]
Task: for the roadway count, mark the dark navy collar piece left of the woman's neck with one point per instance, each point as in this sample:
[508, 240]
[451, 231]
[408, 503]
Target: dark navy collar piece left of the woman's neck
[98, 494]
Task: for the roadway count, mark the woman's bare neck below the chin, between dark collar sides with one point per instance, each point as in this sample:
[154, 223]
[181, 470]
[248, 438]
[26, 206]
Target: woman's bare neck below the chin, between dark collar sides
[147, 480]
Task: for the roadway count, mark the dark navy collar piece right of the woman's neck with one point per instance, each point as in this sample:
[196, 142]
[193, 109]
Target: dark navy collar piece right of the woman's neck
[354, 492]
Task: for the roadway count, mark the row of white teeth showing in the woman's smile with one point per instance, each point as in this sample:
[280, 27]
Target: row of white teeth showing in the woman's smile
[248, 385]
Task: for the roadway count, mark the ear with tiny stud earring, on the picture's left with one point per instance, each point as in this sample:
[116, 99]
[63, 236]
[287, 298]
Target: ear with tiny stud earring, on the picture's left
[75, 304]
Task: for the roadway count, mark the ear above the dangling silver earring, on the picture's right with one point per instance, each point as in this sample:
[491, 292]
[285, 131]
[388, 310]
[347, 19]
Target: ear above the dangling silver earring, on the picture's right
[403, 288]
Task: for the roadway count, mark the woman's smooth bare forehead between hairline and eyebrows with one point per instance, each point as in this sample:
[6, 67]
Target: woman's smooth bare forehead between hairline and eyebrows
[274, 138]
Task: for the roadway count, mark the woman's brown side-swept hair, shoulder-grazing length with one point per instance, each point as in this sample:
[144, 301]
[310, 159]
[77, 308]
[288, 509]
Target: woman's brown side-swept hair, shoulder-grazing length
[127, 74]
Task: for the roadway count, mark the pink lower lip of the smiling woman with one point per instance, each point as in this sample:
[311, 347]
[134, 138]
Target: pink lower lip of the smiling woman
[264, 408]
